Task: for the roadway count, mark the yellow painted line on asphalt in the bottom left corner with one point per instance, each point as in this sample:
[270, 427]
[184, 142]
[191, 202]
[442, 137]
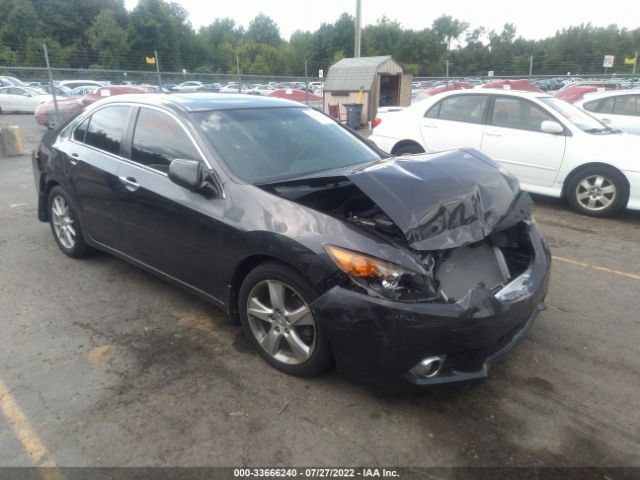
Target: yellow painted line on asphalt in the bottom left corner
[27, 436]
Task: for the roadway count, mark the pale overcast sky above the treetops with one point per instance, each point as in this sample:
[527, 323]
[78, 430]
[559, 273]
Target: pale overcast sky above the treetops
[534, 19]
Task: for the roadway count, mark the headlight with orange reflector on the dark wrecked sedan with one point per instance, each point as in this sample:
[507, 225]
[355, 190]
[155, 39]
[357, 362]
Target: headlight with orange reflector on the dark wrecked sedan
[382, 277]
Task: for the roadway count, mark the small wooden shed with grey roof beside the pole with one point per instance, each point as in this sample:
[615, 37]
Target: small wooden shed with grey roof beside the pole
[371, 81]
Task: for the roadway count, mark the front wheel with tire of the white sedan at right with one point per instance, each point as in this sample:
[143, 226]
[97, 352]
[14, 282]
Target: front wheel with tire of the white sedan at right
[597, 191]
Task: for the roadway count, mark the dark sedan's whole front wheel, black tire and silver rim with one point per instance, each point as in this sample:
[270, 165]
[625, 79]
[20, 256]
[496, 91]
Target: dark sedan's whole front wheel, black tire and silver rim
[275, 315]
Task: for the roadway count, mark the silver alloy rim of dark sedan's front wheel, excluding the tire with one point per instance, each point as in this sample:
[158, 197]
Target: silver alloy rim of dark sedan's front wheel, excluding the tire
[281, 322]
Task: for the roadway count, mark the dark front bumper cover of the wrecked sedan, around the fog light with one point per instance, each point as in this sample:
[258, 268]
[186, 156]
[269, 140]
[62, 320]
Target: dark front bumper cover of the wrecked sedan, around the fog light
[377, 341]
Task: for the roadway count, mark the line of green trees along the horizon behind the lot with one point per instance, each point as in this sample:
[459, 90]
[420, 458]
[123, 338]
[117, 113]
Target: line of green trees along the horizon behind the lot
[103, 34]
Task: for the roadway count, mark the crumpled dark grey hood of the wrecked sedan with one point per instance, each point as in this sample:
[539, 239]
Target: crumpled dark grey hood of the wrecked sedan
[444, 200]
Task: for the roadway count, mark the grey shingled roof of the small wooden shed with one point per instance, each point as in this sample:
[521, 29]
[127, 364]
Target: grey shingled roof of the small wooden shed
[351, 74]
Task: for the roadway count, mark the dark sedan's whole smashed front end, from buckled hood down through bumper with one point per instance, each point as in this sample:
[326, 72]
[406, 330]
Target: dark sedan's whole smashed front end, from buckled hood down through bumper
[477, 276]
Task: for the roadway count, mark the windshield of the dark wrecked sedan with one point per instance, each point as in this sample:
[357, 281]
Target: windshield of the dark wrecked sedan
[264, 145]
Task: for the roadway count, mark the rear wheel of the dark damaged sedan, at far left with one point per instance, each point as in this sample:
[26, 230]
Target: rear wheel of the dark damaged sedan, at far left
[65, 225]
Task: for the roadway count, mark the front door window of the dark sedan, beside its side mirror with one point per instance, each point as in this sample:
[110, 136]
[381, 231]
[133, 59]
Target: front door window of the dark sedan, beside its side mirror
[158, 139]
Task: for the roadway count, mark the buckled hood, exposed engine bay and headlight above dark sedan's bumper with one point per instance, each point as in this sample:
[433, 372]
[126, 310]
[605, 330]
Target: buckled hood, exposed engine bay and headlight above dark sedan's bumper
[463, 217]
